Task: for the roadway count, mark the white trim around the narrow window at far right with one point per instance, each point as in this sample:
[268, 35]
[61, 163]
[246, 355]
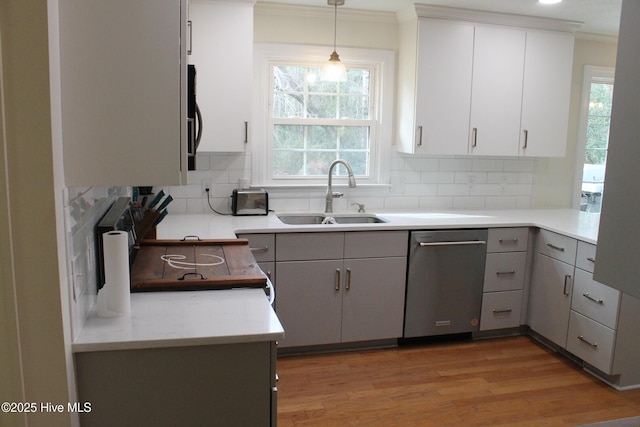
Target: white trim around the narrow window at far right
[590, 73]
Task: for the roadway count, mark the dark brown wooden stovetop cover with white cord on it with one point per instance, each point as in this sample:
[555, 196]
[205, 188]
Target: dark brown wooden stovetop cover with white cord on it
[173, 265]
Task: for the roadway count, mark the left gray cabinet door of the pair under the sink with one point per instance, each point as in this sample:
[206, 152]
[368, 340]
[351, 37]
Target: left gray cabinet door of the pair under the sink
[309, 302]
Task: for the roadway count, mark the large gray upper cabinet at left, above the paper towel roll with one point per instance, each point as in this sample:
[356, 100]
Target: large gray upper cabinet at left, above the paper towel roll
[121, 91]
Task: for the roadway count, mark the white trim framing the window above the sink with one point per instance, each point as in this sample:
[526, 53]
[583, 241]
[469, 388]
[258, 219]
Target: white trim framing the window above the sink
[265, 54]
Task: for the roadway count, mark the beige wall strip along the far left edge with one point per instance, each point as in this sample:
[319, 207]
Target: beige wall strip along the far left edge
[35, 357]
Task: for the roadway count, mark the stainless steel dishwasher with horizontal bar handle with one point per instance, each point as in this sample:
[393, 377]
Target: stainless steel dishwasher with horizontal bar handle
[444, 282]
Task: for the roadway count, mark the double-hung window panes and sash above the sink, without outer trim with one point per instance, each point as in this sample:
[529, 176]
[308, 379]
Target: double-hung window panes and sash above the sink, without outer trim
[316, 122]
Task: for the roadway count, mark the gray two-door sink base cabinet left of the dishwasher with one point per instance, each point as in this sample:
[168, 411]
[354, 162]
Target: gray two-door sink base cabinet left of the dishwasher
[340, 287]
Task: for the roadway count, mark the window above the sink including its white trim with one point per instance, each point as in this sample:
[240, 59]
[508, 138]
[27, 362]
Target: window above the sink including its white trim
[309, 123]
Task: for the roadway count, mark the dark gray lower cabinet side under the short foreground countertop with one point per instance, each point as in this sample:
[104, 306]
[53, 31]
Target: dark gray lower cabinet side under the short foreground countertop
[210, 385]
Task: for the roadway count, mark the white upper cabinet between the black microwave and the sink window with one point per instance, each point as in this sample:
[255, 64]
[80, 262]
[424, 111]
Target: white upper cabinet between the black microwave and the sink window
[222, 35]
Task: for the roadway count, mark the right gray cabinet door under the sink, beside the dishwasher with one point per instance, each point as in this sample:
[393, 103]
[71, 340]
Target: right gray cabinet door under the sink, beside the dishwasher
[373, 299]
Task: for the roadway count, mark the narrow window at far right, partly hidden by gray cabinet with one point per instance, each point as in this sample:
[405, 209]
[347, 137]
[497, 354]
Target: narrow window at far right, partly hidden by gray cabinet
[593, 136]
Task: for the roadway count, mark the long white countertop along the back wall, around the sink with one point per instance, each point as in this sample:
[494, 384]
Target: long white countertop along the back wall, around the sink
[571, 222]
